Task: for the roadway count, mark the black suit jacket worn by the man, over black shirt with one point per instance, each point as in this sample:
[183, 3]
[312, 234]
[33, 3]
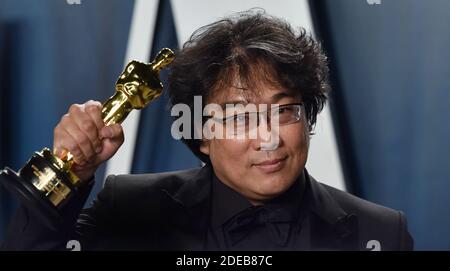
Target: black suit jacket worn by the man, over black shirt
[170, 211]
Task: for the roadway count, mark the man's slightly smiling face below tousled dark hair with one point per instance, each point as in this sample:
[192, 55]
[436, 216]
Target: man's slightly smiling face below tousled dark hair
[256, 172]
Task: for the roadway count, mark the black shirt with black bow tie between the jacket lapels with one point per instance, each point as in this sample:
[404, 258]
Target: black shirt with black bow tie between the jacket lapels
[235, 224]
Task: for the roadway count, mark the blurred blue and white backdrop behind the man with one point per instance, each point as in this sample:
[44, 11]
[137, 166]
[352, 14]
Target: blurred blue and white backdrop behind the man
[383, 137]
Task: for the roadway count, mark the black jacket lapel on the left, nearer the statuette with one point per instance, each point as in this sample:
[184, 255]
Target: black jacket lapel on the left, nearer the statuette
[186, 212]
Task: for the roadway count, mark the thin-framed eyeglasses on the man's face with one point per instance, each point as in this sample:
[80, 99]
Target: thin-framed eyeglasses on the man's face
[245, 122]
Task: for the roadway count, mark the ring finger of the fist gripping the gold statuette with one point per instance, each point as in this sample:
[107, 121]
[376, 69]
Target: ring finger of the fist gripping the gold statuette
[81, 139]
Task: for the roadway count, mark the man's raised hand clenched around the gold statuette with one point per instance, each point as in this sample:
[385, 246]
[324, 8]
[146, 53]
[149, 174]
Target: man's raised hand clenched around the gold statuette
[82, 133]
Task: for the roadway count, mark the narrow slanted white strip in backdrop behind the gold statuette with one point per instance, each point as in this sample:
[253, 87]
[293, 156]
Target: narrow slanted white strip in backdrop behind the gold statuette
[139, 45]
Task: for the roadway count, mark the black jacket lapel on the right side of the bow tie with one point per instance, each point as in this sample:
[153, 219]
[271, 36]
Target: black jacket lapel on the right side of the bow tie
[329, 226]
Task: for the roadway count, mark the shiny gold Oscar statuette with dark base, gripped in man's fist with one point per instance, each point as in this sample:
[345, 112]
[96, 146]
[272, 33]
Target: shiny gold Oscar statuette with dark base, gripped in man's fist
[46, 183]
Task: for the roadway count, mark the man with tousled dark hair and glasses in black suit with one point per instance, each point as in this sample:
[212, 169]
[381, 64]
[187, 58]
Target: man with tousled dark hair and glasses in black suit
[253, 193]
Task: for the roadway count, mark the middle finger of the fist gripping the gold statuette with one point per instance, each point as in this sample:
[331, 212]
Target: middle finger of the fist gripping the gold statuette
[87, 126]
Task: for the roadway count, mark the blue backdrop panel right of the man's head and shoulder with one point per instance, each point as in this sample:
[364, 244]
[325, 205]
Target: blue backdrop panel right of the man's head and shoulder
[391, 82]
